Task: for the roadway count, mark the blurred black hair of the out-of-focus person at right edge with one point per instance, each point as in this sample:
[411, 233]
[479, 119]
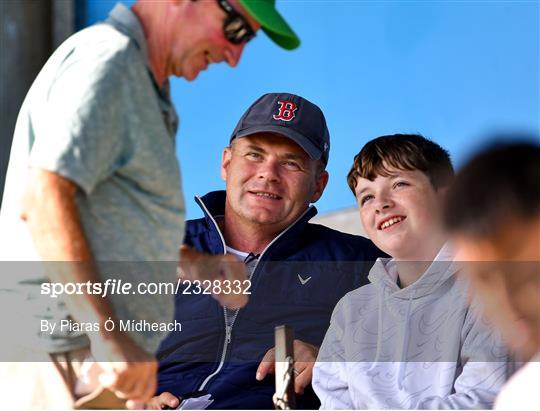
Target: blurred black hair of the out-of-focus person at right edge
[498, 184]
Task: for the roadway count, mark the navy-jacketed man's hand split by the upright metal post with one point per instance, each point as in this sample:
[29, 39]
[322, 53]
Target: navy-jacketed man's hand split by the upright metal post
[305, 355]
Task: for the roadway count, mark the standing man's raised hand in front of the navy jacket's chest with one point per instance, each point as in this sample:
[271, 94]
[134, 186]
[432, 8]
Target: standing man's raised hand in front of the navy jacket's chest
[226, 269]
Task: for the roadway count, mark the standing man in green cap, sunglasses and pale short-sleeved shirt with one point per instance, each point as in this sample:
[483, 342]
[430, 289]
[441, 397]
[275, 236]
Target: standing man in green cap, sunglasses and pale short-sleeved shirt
[95, 144]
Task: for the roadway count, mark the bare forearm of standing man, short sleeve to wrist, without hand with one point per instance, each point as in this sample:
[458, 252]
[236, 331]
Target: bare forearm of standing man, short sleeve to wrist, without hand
[50, 210]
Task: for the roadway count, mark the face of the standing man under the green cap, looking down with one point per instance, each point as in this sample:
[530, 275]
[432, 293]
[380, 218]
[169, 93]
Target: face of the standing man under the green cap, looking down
[201, 41]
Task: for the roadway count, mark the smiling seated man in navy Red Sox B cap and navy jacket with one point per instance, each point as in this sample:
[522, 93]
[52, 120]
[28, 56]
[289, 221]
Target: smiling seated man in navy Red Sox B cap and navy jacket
[274, 169]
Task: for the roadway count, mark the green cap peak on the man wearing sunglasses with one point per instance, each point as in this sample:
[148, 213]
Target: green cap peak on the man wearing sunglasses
[273, 24]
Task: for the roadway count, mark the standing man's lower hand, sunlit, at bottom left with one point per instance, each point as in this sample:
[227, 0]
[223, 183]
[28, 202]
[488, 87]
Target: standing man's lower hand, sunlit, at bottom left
[127, 370]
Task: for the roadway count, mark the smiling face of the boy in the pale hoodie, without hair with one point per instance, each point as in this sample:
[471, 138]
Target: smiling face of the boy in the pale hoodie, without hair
[401, 214]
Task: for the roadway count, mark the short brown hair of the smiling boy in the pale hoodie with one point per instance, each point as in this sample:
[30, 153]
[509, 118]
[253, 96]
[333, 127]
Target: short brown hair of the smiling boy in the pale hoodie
[404, 152]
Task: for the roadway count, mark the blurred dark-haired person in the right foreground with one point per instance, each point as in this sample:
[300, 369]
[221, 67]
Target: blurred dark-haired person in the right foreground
[493, 213]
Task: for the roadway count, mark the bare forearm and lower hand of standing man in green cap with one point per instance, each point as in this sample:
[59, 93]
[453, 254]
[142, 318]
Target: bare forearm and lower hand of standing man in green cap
[50, 210]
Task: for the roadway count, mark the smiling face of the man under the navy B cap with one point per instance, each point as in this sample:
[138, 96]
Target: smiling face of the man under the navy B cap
[270, 180]
